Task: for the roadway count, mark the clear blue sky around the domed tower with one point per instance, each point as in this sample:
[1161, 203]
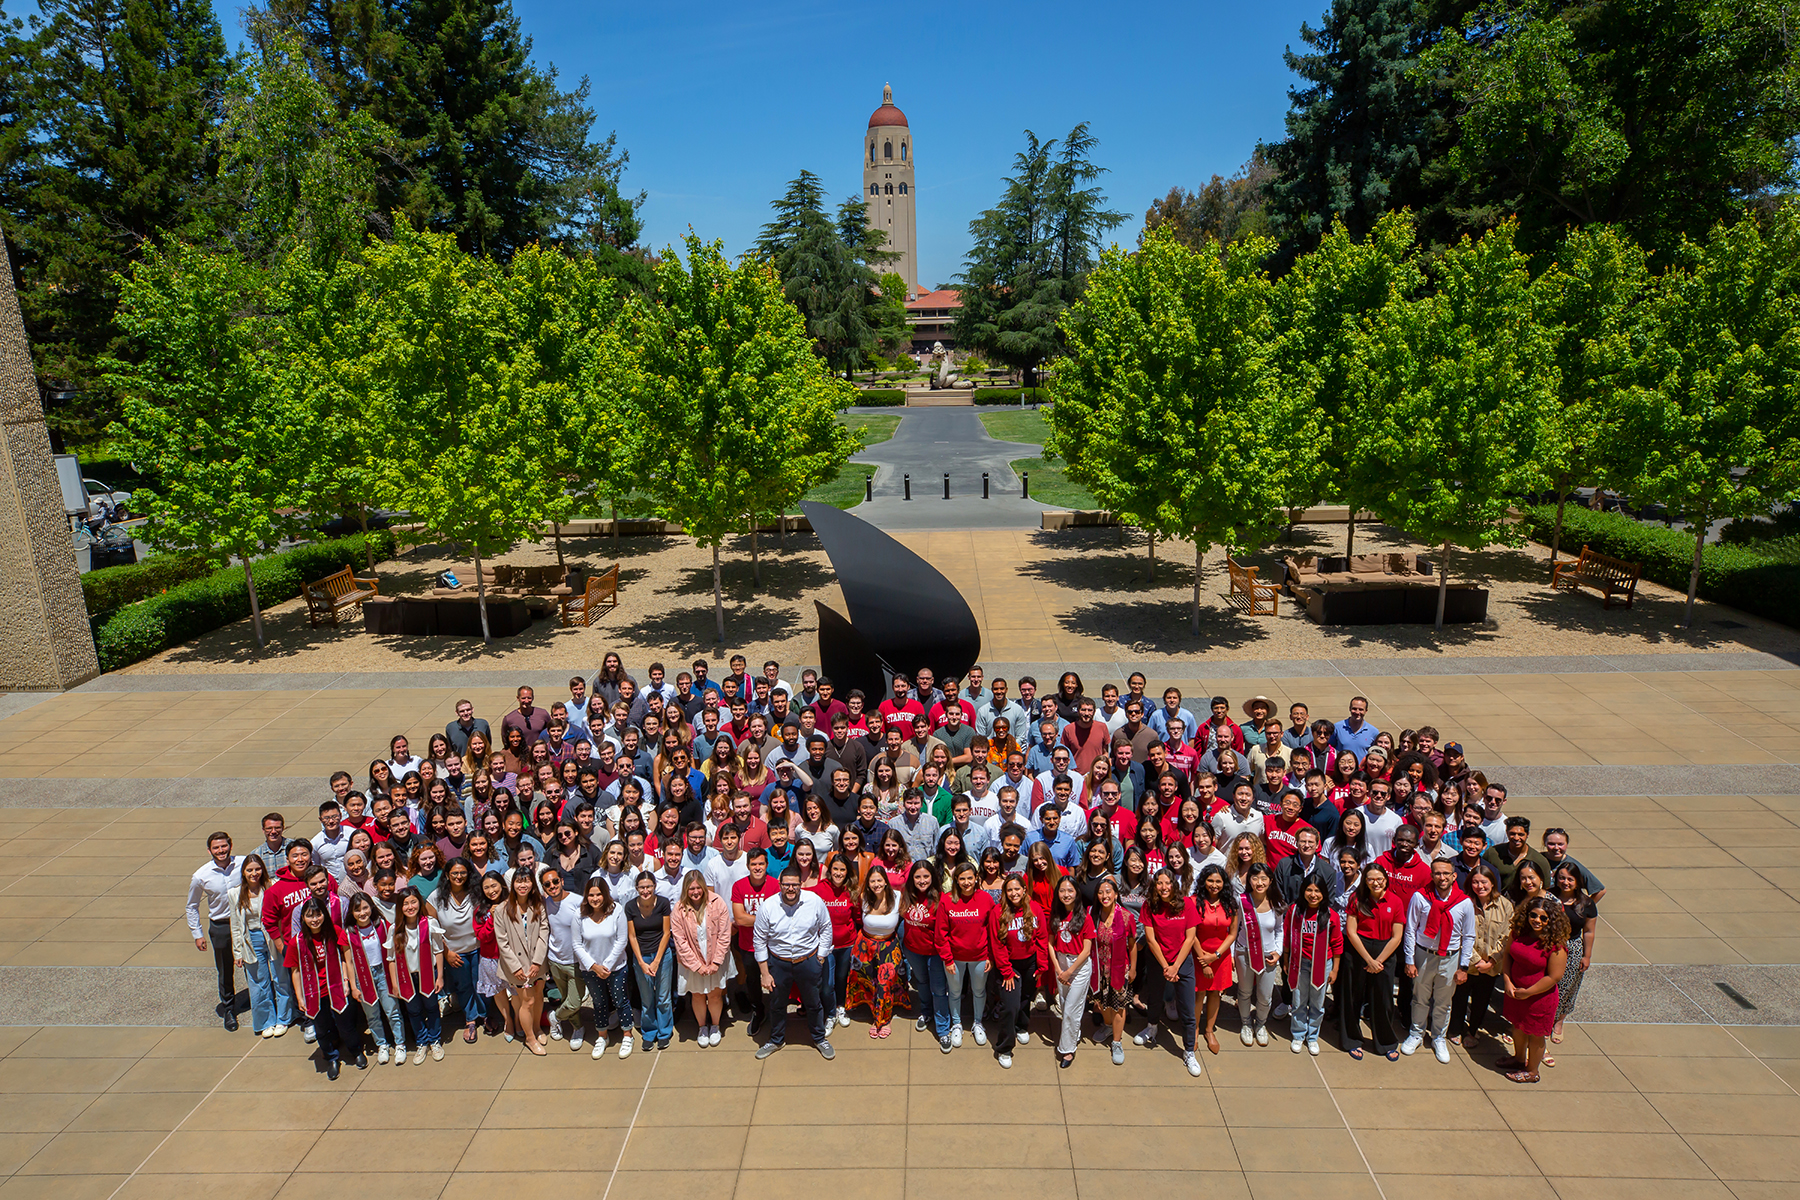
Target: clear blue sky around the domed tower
[721, 105]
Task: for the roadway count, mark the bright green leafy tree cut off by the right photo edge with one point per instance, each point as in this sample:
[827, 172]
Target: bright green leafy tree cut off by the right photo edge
[1722, 433]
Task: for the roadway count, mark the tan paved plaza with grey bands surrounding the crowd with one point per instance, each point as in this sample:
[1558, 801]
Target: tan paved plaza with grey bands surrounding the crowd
[1675, 775]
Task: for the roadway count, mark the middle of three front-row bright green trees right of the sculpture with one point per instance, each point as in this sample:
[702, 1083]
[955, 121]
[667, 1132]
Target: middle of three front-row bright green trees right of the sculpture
[1457, 391]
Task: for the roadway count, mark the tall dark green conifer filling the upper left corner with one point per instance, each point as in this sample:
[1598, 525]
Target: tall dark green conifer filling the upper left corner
[112, 152]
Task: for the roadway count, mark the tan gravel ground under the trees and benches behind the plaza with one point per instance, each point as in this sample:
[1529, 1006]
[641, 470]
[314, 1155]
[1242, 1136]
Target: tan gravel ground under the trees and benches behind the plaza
[1093, 591]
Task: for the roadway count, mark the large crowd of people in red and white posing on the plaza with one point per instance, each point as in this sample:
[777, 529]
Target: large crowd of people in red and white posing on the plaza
[962, 852]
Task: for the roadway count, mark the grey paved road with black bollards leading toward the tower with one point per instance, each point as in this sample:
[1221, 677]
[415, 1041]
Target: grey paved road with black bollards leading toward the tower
[931, 443]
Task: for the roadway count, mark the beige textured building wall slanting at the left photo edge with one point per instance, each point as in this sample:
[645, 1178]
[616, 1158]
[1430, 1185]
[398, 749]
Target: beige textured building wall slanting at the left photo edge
[44, 620]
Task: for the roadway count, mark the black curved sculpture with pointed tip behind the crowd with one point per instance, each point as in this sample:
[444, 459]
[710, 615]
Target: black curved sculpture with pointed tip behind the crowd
[903, 613]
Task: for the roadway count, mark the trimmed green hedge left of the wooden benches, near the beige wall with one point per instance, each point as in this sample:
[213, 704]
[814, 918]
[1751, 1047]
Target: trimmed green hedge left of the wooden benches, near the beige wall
[213, 602]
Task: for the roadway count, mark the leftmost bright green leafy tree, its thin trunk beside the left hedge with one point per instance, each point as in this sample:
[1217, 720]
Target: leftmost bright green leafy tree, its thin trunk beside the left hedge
[211, 409]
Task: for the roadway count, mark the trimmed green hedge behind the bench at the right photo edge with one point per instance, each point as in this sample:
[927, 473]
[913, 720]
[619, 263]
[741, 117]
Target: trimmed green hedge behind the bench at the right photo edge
[1731, 575]
